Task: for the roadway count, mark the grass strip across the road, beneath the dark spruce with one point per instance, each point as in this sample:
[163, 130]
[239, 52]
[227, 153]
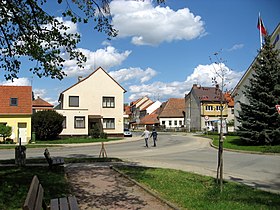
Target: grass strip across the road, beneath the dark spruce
[234, 142]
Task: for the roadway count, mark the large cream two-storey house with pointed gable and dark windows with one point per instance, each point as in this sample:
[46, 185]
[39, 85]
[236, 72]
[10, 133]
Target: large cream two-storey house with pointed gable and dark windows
[95, 100]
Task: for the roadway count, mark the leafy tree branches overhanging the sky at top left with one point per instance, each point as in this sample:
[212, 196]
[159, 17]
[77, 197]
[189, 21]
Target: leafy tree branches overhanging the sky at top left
[27, 30]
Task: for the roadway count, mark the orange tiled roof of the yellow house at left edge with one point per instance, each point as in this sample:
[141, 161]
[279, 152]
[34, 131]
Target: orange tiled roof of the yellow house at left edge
[23, 96]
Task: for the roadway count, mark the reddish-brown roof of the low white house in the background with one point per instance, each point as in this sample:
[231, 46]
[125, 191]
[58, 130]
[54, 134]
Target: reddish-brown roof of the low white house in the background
[174, 107]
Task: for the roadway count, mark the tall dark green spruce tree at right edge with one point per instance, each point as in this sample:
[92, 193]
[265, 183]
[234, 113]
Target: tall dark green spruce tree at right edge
[260, 122]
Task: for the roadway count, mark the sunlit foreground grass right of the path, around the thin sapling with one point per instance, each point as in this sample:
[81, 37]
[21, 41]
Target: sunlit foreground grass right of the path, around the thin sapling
[192, 191]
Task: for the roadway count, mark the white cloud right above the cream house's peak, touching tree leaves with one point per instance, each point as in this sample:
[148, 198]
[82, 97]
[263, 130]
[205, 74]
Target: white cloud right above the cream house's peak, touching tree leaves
[106, 58]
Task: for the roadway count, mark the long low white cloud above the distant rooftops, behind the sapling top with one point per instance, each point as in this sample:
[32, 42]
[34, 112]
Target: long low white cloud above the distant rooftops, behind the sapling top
[201, 75]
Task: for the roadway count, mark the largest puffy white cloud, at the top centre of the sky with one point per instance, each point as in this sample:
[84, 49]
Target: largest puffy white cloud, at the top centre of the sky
[149, 25]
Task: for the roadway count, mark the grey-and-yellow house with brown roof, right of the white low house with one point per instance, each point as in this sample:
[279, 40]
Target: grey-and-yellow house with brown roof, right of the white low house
[203, 108]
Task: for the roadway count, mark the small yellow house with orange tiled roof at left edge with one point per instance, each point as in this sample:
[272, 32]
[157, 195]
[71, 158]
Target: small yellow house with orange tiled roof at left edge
[16, 111]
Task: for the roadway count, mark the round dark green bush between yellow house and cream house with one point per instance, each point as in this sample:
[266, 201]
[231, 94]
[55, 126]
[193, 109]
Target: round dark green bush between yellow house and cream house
[47, 124]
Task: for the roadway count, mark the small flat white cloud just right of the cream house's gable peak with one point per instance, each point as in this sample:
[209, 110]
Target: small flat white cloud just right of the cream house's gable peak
[135, 74]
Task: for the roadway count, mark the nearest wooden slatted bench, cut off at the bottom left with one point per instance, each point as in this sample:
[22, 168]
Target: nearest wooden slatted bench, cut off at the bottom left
[34, 199]
